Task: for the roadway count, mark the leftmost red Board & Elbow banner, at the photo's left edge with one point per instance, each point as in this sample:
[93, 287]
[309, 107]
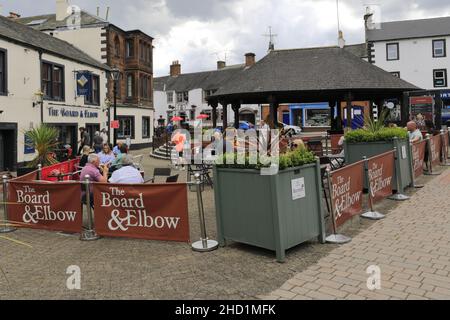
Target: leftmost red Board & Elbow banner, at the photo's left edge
[54, 207]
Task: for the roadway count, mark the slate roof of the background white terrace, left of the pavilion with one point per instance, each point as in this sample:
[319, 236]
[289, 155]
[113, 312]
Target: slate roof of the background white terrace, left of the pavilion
[207, 80]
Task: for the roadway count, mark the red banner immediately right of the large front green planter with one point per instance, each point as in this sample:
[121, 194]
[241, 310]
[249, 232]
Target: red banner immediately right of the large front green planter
[347, 192]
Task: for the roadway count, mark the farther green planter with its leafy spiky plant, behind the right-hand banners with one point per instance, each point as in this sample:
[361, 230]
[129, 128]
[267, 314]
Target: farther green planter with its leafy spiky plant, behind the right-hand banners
[376, 139]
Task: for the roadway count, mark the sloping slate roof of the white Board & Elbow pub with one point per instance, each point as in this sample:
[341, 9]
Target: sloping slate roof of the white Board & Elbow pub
[29, 37]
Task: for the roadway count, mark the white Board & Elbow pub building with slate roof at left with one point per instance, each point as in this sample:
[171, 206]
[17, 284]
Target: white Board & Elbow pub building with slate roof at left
[32, 62]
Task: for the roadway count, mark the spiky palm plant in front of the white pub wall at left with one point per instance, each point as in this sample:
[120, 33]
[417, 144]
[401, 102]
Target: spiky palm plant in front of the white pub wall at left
[44, 139]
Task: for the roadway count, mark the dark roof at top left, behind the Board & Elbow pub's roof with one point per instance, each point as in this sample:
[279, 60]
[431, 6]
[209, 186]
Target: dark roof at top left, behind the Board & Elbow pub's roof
[48, 21]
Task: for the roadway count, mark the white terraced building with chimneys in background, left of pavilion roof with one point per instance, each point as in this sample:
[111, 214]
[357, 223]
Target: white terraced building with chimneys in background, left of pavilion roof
[184, 94]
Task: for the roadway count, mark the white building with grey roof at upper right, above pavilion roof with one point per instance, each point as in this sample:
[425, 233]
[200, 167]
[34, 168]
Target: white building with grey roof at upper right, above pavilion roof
[414, 50]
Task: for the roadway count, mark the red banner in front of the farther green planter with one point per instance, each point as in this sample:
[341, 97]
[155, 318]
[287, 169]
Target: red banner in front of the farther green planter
[381, 173]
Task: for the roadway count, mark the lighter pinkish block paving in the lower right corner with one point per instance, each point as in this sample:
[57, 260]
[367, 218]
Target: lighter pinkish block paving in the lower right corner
[411, 247]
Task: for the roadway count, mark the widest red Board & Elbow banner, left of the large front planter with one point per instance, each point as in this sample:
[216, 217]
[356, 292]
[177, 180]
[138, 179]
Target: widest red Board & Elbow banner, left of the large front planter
[152, 212]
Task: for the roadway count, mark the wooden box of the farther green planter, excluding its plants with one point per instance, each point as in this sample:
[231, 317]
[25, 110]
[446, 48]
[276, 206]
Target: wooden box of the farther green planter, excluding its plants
[355, 152]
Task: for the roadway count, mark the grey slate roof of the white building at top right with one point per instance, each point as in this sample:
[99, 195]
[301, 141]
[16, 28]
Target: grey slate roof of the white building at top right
[408, 29]
